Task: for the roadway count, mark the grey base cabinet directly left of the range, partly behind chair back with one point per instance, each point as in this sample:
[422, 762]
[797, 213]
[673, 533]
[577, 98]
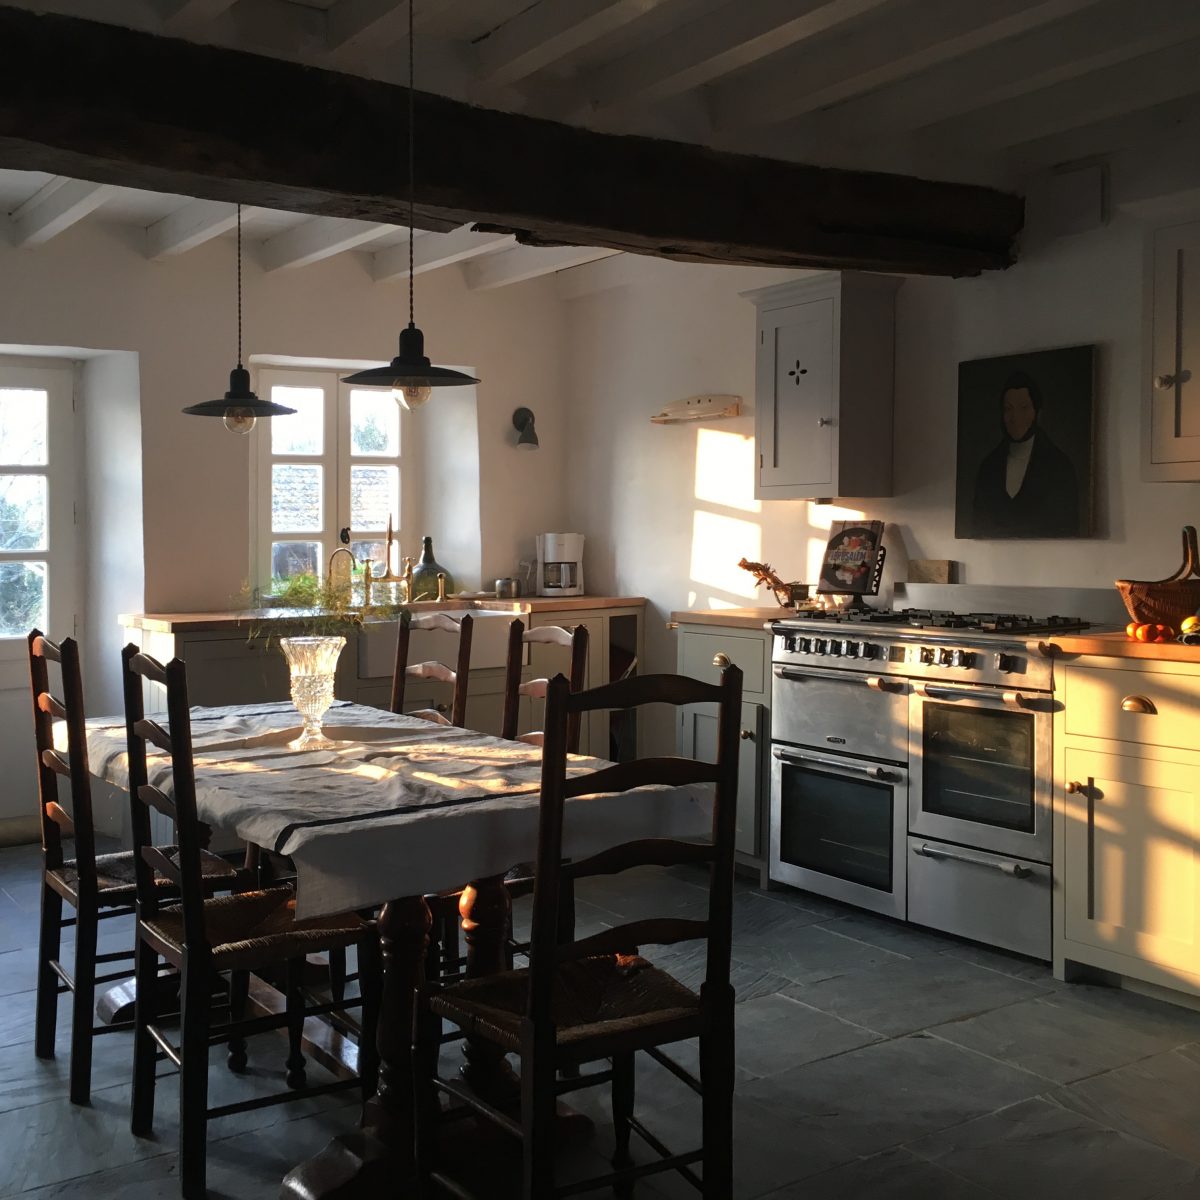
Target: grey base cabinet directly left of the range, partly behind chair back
[703, 652]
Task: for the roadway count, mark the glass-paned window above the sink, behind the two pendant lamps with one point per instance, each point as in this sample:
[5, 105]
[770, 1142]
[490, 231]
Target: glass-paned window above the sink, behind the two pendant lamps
[328, 476]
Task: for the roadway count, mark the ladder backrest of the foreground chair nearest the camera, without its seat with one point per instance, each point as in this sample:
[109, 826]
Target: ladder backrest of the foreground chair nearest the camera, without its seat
[545, 952]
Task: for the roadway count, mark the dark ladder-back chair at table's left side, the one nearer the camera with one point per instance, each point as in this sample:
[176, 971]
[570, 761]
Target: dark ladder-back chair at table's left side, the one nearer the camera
[242, 934]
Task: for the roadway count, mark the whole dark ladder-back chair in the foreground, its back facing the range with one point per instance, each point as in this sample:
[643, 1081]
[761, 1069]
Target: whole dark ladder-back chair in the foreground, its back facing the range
[597, 999]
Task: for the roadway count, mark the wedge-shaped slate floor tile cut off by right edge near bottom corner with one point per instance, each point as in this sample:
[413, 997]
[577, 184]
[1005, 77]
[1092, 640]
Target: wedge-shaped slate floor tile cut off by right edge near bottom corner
[1156, 1099]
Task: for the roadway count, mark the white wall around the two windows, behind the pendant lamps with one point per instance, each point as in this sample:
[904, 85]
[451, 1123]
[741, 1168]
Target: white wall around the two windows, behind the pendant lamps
[93, 287]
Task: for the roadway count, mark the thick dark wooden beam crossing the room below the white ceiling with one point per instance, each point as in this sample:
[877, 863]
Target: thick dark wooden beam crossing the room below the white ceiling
[116, 106]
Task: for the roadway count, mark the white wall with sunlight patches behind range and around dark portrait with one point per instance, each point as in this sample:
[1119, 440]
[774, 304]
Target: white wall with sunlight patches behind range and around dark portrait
[669, 511]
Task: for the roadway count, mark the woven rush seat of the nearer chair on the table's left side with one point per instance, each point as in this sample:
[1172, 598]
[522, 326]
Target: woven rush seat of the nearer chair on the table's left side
[255, 928]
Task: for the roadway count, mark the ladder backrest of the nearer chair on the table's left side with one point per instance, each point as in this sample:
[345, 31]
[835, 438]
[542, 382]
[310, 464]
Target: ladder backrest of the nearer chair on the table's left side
[177, 741]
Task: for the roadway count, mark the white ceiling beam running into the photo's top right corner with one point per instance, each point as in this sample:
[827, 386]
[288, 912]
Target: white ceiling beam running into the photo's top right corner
[1114, 32]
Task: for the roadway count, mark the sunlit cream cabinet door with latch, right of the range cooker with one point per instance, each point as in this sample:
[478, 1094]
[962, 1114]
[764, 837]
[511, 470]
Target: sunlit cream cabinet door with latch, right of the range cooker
[1132, 862]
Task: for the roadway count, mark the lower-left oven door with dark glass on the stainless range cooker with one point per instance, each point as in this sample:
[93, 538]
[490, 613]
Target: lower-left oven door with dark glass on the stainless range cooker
[838, 827]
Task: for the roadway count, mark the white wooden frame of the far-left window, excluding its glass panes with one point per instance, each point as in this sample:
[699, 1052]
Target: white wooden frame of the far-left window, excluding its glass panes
[57, 379]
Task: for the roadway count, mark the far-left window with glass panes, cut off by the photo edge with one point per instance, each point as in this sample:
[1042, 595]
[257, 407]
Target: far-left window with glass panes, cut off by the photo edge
[37, 501]
